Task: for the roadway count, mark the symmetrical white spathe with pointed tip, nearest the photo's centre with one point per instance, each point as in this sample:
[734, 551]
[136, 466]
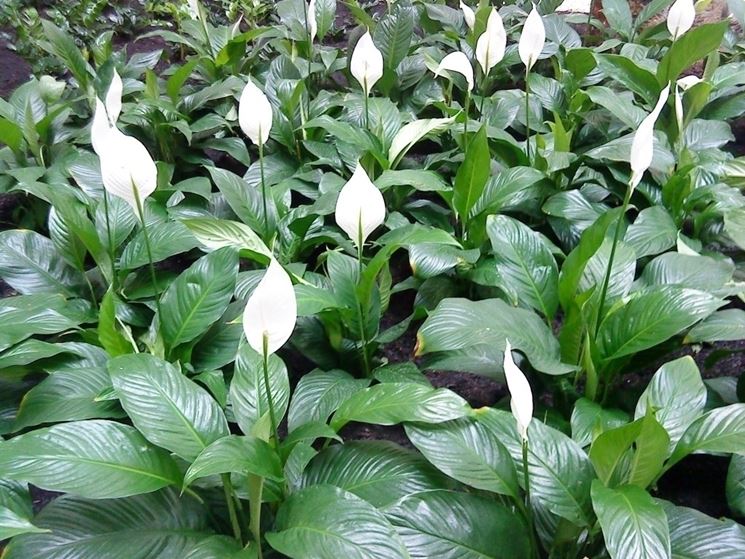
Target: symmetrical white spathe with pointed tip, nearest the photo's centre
[360, 208]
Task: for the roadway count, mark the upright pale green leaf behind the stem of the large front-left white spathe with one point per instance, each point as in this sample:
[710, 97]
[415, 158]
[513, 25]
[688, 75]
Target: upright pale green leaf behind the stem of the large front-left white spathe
[248, 392]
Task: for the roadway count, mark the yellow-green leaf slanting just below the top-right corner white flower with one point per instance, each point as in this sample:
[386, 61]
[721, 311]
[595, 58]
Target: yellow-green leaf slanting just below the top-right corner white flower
[694, 45]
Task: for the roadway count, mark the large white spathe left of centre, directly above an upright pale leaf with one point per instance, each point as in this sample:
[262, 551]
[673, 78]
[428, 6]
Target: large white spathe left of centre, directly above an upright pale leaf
[271, 311]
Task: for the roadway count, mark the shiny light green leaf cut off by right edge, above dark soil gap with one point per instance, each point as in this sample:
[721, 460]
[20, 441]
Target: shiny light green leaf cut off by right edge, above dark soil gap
[720, 430]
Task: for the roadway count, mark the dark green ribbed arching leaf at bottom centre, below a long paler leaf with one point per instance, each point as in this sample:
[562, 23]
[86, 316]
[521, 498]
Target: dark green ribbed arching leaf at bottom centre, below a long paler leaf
[379, 472]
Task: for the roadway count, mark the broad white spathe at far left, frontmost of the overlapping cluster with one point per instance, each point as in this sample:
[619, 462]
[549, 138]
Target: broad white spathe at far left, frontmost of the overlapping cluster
[127, 170]
